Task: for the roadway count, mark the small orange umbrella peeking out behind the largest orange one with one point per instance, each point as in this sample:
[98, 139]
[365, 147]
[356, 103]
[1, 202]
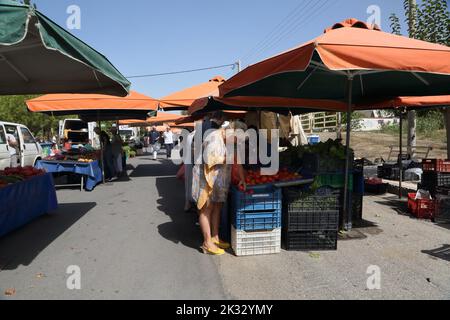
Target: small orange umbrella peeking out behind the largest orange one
[182, 100]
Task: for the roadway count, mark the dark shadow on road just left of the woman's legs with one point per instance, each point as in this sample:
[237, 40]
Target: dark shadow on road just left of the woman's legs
[182, 228]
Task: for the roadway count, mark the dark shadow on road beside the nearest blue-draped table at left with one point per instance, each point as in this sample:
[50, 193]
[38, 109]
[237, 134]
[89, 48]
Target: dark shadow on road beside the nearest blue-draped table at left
[22, 246]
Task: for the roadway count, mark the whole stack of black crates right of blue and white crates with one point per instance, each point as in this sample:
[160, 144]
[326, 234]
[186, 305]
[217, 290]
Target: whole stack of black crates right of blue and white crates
[311, 219]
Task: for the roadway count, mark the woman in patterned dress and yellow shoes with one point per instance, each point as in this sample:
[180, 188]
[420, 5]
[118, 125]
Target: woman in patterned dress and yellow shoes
[210, 186]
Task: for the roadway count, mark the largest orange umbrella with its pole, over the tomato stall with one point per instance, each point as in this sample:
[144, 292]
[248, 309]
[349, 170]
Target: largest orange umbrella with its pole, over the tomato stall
[350, 63]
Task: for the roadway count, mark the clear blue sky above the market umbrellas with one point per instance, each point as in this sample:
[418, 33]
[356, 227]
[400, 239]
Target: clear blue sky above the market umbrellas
[157, 36]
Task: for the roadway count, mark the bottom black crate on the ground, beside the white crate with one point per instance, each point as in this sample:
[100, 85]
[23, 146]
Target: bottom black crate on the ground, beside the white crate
[310, 240]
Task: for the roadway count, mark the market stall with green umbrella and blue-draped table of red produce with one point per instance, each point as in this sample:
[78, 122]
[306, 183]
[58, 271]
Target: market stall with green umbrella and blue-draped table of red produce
[38, 56]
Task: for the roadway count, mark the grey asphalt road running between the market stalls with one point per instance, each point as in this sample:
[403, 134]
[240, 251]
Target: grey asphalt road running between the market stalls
[132, 240]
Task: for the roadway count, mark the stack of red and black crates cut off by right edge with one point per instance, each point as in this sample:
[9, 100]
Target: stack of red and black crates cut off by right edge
[436, 173]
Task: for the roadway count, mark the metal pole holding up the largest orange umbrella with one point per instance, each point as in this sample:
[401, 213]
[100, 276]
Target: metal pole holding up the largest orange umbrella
[347, 208]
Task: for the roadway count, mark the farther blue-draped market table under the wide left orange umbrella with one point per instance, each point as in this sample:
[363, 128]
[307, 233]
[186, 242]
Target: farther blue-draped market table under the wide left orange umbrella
[89, 171]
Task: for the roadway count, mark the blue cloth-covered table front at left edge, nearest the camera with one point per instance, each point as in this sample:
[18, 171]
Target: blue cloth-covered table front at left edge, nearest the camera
[25, 201]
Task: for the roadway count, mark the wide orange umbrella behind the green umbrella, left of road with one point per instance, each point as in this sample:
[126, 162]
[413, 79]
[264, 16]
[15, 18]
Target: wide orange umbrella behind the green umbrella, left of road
[94, 107]
